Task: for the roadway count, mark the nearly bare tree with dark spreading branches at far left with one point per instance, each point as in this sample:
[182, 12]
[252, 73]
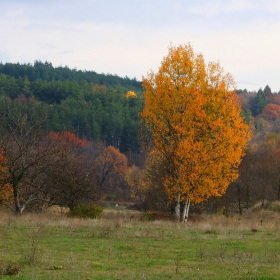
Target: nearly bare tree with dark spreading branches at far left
[21, 122]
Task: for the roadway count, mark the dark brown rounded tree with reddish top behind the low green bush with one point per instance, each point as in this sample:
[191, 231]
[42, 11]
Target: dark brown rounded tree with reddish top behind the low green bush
[66, 178]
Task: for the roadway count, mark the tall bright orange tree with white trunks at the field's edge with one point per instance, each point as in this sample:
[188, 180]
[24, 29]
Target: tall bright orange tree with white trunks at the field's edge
[194, 117]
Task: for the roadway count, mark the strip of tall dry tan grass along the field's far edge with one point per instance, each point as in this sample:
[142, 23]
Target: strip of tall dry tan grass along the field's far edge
[265, 220]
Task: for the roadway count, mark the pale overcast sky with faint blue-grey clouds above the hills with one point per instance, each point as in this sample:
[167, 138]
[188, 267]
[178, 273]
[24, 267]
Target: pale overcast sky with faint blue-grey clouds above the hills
[130, 37]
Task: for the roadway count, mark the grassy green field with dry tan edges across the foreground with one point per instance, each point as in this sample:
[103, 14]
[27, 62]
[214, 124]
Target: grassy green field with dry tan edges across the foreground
[52, 246]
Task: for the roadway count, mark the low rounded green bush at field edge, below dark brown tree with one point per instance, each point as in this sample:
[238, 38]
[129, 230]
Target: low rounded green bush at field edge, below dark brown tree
[91, 211]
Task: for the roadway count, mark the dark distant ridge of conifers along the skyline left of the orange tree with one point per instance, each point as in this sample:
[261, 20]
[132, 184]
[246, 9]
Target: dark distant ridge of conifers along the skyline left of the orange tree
[46, 72]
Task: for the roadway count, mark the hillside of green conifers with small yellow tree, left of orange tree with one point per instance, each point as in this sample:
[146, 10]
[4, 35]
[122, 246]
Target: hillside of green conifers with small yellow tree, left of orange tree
[93, 106]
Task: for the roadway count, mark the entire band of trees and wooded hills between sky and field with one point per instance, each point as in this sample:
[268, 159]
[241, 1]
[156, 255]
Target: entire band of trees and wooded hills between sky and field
[64, 138]
